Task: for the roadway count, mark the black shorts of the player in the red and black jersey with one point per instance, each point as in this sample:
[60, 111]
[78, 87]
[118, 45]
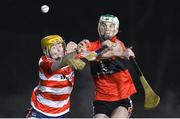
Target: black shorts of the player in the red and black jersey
[106, 107]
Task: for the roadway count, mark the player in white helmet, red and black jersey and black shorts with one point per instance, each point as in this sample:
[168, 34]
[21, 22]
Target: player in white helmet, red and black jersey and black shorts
[113, 83]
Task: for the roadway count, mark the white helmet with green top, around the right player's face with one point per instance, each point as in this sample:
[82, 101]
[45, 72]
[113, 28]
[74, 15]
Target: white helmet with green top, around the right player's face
[108, 18]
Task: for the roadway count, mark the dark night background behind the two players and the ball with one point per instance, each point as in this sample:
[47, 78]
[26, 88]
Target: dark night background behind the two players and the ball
[150, 26]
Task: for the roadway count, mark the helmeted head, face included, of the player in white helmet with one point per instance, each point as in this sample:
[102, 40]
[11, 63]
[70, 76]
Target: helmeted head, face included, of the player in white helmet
[112, 28]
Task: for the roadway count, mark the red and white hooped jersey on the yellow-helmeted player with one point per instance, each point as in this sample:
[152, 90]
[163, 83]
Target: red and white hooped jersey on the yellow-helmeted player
[52, 96]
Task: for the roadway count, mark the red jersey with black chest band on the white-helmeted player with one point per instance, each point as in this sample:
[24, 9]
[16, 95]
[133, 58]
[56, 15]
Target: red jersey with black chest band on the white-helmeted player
[112, 79]
